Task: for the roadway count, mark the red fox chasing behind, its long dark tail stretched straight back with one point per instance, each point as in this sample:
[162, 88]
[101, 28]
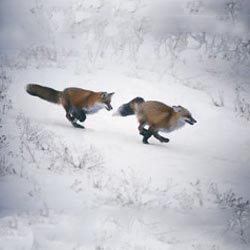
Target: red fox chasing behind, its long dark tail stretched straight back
[76, 102]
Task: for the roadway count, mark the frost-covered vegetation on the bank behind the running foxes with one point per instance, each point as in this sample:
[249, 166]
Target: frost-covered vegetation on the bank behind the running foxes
[190, 40]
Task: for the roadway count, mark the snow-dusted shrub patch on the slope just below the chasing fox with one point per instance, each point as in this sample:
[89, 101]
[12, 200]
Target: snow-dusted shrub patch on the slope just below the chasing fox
[37, 143]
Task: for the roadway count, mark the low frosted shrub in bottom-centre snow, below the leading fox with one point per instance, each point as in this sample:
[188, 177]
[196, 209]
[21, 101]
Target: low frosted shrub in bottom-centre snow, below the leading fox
[128, 190]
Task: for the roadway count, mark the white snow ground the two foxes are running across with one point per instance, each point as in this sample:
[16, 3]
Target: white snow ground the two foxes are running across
[139, 196]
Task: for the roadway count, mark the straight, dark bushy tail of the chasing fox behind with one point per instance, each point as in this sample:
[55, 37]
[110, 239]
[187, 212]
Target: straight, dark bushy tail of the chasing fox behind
[48, 94]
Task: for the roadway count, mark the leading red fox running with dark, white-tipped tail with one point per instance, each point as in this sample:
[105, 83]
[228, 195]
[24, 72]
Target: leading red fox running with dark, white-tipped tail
[158, 116]
